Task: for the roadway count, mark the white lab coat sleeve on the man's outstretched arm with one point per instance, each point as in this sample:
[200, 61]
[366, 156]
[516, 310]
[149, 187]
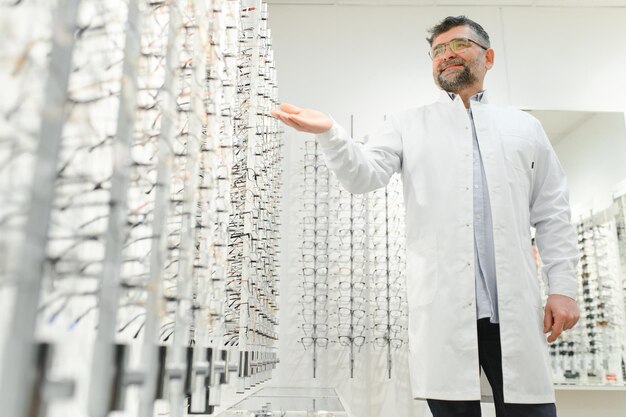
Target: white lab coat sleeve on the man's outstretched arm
[363, 168]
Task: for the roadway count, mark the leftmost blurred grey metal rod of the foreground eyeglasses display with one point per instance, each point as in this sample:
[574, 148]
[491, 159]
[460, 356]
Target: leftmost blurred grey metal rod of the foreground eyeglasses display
[20, 353]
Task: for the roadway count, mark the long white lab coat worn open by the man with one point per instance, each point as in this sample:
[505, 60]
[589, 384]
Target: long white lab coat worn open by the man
[431, 146]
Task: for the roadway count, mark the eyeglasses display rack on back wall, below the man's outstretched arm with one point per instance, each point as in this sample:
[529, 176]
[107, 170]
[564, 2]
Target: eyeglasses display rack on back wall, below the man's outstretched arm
[353, 290]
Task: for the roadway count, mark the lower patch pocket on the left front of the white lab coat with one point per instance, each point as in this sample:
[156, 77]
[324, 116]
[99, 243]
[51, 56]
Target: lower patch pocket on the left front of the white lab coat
[422, 271]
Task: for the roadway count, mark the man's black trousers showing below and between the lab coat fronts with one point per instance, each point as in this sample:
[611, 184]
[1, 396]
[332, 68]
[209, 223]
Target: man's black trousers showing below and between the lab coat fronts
[490, 357]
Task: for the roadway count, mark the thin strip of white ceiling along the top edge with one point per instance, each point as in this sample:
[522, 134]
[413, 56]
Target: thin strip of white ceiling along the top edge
[531, 3]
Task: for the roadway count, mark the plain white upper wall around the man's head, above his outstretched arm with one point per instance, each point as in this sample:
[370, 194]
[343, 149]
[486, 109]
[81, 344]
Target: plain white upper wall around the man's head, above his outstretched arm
[370, 61]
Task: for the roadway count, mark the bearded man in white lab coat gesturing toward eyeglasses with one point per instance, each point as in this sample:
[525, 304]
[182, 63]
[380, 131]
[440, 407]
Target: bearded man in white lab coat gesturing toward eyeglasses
[476, 177]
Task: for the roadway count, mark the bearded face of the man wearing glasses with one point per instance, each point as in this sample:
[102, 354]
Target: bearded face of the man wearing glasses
[455, 72]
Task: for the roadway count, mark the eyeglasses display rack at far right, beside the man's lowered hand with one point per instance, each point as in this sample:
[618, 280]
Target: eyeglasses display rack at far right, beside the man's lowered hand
[593, 353]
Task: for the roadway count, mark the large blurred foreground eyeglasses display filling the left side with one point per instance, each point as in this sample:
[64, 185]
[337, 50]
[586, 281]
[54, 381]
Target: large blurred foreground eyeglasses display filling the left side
[140, 218]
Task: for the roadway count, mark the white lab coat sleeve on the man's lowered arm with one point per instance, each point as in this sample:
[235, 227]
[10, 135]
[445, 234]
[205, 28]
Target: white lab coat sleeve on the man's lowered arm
[550, 216]
